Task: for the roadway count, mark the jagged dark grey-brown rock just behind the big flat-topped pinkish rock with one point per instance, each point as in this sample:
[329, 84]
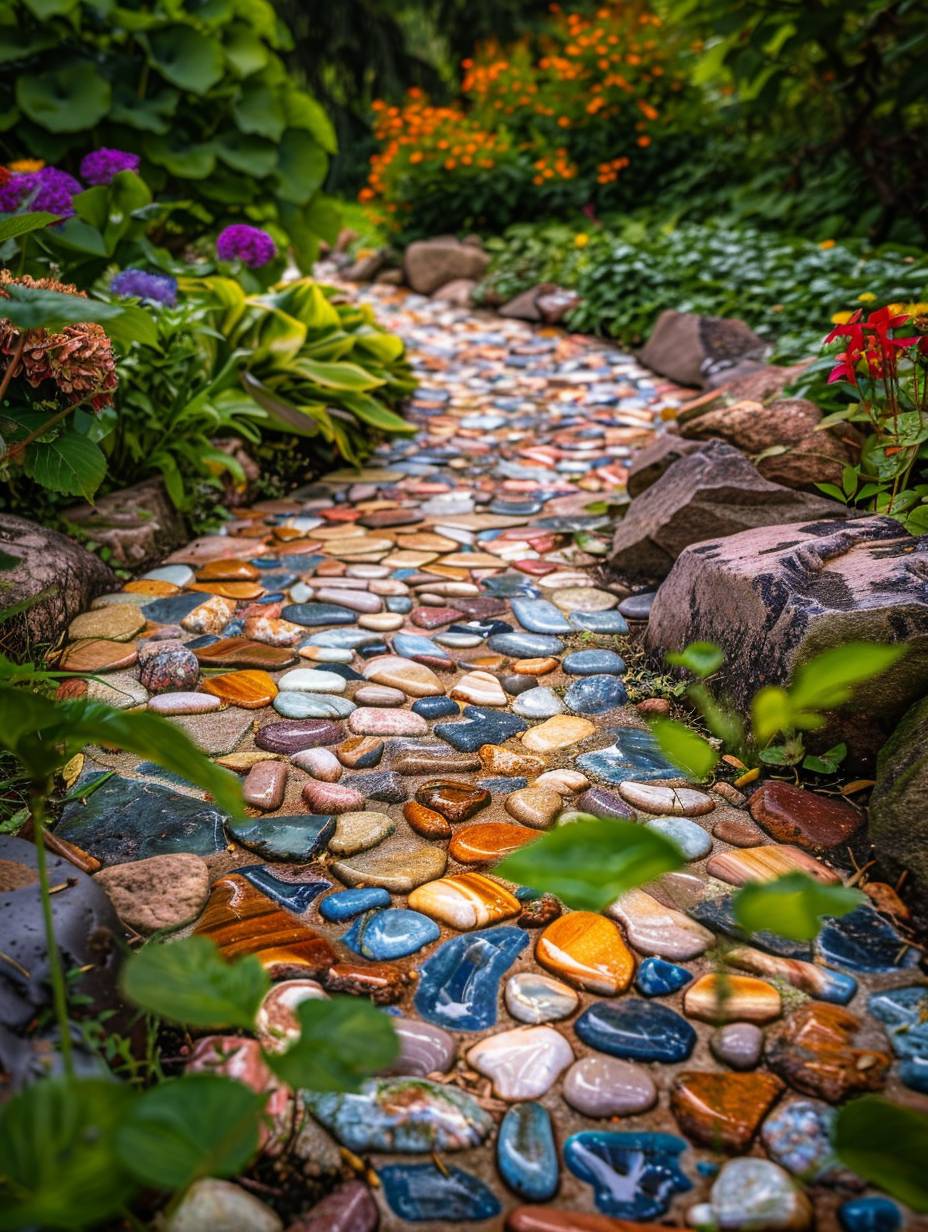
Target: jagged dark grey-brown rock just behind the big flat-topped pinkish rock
[707, 495]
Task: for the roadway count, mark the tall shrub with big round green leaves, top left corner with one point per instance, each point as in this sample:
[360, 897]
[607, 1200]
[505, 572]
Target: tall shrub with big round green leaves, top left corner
[199, 91]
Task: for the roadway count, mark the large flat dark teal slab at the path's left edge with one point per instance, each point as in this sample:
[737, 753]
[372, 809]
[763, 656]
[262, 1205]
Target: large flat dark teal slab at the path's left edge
[129, 820]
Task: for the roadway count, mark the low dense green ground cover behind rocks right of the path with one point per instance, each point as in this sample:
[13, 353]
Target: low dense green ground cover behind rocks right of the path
[625, 277]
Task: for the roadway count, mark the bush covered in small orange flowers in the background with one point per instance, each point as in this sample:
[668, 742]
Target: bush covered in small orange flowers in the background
[576, 116]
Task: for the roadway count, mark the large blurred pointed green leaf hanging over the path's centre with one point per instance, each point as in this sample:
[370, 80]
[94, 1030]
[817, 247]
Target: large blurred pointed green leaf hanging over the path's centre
[590, 864]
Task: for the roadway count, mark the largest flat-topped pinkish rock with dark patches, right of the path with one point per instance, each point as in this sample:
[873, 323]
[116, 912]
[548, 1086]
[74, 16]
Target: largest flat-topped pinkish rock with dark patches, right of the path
[775, 597]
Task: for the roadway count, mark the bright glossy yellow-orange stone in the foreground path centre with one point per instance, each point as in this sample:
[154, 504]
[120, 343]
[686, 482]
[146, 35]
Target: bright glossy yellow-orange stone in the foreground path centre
[588, 952]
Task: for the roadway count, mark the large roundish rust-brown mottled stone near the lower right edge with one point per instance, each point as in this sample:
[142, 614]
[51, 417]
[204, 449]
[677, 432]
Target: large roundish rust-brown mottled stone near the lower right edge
[825, 1050]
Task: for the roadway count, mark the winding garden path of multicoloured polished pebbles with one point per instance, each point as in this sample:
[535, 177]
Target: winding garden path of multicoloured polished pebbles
[416, 671]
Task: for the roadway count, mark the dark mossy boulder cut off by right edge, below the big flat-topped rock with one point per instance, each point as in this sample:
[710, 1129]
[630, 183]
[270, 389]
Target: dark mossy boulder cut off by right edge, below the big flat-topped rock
[899, 805]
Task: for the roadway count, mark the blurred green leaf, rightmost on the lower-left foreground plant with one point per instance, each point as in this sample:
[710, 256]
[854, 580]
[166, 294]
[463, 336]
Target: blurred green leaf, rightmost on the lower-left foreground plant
[342, 1043]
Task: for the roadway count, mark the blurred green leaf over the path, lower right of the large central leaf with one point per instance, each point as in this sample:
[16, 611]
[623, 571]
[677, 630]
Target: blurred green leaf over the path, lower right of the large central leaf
[793, 906]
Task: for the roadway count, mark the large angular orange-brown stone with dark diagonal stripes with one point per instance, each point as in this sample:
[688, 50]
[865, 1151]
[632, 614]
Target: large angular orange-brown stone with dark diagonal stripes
[240, 920]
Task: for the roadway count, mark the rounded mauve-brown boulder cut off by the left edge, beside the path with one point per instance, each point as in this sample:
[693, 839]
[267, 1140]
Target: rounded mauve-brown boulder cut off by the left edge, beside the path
[55, 581]
